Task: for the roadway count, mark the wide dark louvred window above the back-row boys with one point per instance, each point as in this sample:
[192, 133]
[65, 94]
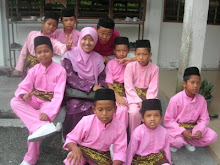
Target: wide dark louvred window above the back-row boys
[117, 9]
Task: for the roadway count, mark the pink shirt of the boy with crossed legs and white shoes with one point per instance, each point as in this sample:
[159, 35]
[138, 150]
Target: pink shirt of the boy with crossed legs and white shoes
[50, 79]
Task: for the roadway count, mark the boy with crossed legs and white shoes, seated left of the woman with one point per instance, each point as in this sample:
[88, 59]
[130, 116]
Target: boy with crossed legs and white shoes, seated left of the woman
[38, 97]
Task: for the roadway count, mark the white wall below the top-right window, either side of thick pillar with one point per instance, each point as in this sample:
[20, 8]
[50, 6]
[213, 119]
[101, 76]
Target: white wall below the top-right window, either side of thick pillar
[170, 43]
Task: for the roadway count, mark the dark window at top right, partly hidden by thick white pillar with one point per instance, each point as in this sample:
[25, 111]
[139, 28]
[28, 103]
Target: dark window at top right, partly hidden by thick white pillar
[174, 11]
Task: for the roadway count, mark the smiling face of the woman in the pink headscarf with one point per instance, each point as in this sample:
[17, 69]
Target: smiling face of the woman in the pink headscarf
[87, 43]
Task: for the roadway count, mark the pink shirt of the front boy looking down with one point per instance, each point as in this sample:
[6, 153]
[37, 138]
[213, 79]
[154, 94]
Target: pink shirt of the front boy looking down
[92, 133]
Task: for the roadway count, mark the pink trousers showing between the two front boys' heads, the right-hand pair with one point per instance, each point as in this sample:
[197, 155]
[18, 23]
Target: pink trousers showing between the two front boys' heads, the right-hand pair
[134, 117]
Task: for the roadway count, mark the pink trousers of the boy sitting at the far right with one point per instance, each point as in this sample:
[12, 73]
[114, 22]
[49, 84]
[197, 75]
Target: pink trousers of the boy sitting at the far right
[209, 136]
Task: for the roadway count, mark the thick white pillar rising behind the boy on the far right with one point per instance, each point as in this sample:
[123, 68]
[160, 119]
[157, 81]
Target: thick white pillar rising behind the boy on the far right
[193, 35]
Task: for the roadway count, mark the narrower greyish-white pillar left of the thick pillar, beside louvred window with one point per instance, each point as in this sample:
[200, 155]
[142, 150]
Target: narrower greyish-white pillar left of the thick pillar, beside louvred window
[153, 19]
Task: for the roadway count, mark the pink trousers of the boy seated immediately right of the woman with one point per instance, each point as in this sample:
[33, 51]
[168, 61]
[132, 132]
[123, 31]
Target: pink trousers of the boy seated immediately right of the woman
[122, 114]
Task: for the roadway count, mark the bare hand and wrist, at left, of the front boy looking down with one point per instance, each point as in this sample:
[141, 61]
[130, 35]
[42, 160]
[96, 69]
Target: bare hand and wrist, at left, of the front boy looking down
[76, 154]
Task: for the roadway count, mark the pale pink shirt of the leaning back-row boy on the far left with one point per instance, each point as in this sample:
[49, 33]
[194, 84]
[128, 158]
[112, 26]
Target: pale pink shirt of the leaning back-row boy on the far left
[28, 48]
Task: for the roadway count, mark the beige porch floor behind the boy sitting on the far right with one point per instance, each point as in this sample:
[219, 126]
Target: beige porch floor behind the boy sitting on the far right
[167, 84]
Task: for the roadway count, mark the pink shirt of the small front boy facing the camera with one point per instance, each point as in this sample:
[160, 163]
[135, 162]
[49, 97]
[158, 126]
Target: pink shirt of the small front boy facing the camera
[145, 141]
